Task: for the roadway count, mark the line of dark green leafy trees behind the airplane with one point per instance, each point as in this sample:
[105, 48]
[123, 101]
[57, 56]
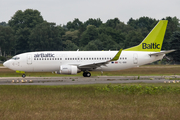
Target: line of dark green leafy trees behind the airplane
[27, 31]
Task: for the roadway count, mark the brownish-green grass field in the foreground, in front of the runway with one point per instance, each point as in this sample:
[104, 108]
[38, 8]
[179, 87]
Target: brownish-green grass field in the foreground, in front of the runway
[97, 102]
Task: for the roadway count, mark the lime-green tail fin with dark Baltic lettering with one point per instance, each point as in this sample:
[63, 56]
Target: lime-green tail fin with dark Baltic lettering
[153, 41]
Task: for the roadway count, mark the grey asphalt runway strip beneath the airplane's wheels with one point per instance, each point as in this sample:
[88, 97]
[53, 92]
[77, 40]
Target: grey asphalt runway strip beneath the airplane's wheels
[84, 80]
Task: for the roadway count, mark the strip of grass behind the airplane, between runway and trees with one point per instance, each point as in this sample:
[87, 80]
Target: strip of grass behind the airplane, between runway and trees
[140, 71]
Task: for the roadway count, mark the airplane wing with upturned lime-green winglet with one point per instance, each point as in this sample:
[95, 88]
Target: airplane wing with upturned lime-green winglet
[95, 65]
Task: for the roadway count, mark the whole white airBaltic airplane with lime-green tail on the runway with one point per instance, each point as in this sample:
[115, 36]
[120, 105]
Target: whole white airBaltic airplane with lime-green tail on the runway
[73, 62]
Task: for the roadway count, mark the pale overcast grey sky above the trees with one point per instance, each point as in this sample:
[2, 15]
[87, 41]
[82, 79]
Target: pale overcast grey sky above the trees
[63, 11]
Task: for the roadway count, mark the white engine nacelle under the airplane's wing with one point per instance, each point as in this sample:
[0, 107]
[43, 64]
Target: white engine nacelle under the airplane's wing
[68, 69]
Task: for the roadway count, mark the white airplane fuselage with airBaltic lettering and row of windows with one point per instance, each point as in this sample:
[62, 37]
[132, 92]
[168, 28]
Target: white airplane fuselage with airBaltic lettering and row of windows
[50, 61]
